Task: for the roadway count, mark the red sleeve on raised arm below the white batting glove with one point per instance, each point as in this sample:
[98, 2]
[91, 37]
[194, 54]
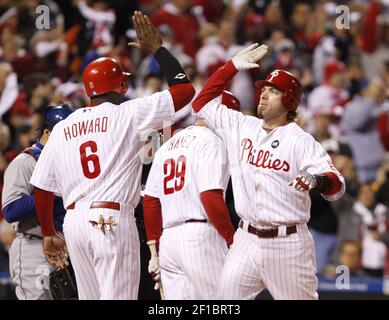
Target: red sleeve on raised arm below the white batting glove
[214, 85]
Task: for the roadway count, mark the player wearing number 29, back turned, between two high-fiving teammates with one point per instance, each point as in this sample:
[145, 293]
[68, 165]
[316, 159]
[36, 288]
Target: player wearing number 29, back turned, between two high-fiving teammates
[184, 196]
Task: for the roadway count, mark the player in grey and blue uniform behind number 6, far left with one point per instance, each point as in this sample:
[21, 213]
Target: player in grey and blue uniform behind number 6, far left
[28, 266]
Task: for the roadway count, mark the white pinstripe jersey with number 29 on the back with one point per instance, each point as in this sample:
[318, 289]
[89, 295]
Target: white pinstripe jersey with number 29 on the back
[192, 161]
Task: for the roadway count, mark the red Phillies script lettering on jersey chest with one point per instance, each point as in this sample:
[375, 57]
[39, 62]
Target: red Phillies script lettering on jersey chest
[261, 158]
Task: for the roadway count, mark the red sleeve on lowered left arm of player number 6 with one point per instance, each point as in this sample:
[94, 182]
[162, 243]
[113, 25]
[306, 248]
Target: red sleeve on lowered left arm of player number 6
[44, 205]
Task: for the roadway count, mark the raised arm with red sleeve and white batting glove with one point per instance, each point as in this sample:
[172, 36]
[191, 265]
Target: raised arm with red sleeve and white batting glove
[244, 60]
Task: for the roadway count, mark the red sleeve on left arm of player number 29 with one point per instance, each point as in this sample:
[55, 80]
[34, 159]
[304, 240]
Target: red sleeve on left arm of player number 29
[152, 214]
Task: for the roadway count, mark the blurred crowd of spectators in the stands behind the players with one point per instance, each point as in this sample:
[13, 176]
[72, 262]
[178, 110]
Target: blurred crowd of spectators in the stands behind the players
[341, 61]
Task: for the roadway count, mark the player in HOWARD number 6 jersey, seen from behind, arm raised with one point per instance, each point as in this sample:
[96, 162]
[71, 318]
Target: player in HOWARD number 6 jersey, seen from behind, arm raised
[93, 159]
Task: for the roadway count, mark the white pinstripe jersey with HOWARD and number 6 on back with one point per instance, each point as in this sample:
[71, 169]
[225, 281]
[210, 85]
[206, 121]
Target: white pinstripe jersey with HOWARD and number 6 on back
[95, 154]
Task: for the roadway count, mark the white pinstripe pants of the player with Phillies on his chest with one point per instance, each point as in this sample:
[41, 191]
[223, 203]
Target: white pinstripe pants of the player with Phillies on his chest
[286, 266]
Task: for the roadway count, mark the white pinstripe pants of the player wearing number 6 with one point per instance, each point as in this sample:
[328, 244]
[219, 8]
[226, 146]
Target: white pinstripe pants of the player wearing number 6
[107, 266]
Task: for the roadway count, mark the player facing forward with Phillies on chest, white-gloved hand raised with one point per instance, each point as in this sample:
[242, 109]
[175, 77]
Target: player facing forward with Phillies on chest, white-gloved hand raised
[273, 164]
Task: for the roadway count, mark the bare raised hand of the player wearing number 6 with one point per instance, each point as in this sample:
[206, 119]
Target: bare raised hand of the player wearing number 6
[149, 39]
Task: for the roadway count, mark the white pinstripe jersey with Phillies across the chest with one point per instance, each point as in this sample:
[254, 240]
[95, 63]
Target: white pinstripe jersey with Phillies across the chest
[262, 164]
